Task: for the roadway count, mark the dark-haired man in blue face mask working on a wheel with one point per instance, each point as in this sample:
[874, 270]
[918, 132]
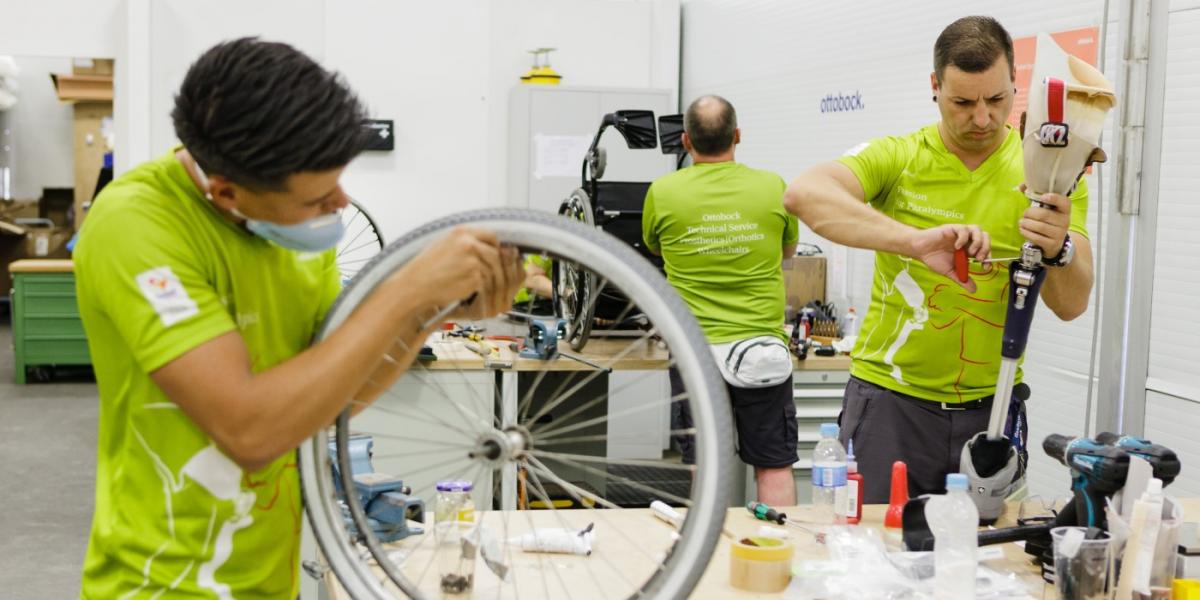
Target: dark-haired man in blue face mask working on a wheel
[202, 279]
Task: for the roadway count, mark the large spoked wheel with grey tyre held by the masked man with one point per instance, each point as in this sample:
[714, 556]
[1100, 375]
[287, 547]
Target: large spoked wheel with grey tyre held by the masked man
[435, 424]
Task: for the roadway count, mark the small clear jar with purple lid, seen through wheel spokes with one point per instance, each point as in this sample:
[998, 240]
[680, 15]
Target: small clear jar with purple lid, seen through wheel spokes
[454, 517]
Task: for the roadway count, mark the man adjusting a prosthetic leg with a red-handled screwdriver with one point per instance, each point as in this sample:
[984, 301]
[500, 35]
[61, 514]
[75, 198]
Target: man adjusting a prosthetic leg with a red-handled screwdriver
[928, 356]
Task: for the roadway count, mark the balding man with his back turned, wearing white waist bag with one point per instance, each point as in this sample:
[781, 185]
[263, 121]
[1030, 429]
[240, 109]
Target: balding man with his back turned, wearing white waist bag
[723, 233]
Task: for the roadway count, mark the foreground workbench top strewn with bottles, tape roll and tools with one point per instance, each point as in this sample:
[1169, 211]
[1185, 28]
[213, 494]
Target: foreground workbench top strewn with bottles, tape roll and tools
[614, 550]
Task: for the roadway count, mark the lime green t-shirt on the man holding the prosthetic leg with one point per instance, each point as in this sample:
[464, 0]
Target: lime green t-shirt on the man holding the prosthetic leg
[925, 335]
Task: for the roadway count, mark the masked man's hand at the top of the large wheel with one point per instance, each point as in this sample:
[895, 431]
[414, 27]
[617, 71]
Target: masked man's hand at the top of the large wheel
[467, 263]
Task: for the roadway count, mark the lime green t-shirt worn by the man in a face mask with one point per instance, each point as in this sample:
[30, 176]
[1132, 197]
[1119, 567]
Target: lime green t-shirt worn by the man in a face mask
[159, 273]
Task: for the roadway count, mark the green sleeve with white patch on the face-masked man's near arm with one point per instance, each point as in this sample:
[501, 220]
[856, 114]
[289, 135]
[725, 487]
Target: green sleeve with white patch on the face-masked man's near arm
[152, 287]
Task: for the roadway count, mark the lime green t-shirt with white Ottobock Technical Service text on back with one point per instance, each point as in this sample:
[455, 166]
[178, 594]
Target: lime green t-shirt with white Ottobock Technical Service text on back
[722, 230]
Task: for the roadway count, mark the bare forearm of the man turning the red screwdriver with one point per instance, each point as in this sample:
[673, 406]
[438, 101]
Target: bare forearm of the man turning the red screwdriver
[829, 200]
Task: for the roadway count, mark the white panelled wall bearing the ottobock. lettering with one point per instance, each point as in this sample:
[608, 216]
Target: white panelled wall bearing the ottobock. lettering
[776, 61]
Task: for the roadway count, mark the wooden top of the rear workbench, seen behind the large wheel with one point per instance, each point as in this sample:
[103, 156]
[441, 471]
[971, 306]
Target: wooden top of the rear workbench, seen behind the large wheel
[621, 355]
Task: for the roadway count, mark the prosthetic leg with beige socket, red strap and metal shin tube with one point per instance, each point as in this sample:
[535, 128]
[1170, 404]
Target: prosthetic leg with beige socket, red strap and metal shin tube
[1069, 103]
